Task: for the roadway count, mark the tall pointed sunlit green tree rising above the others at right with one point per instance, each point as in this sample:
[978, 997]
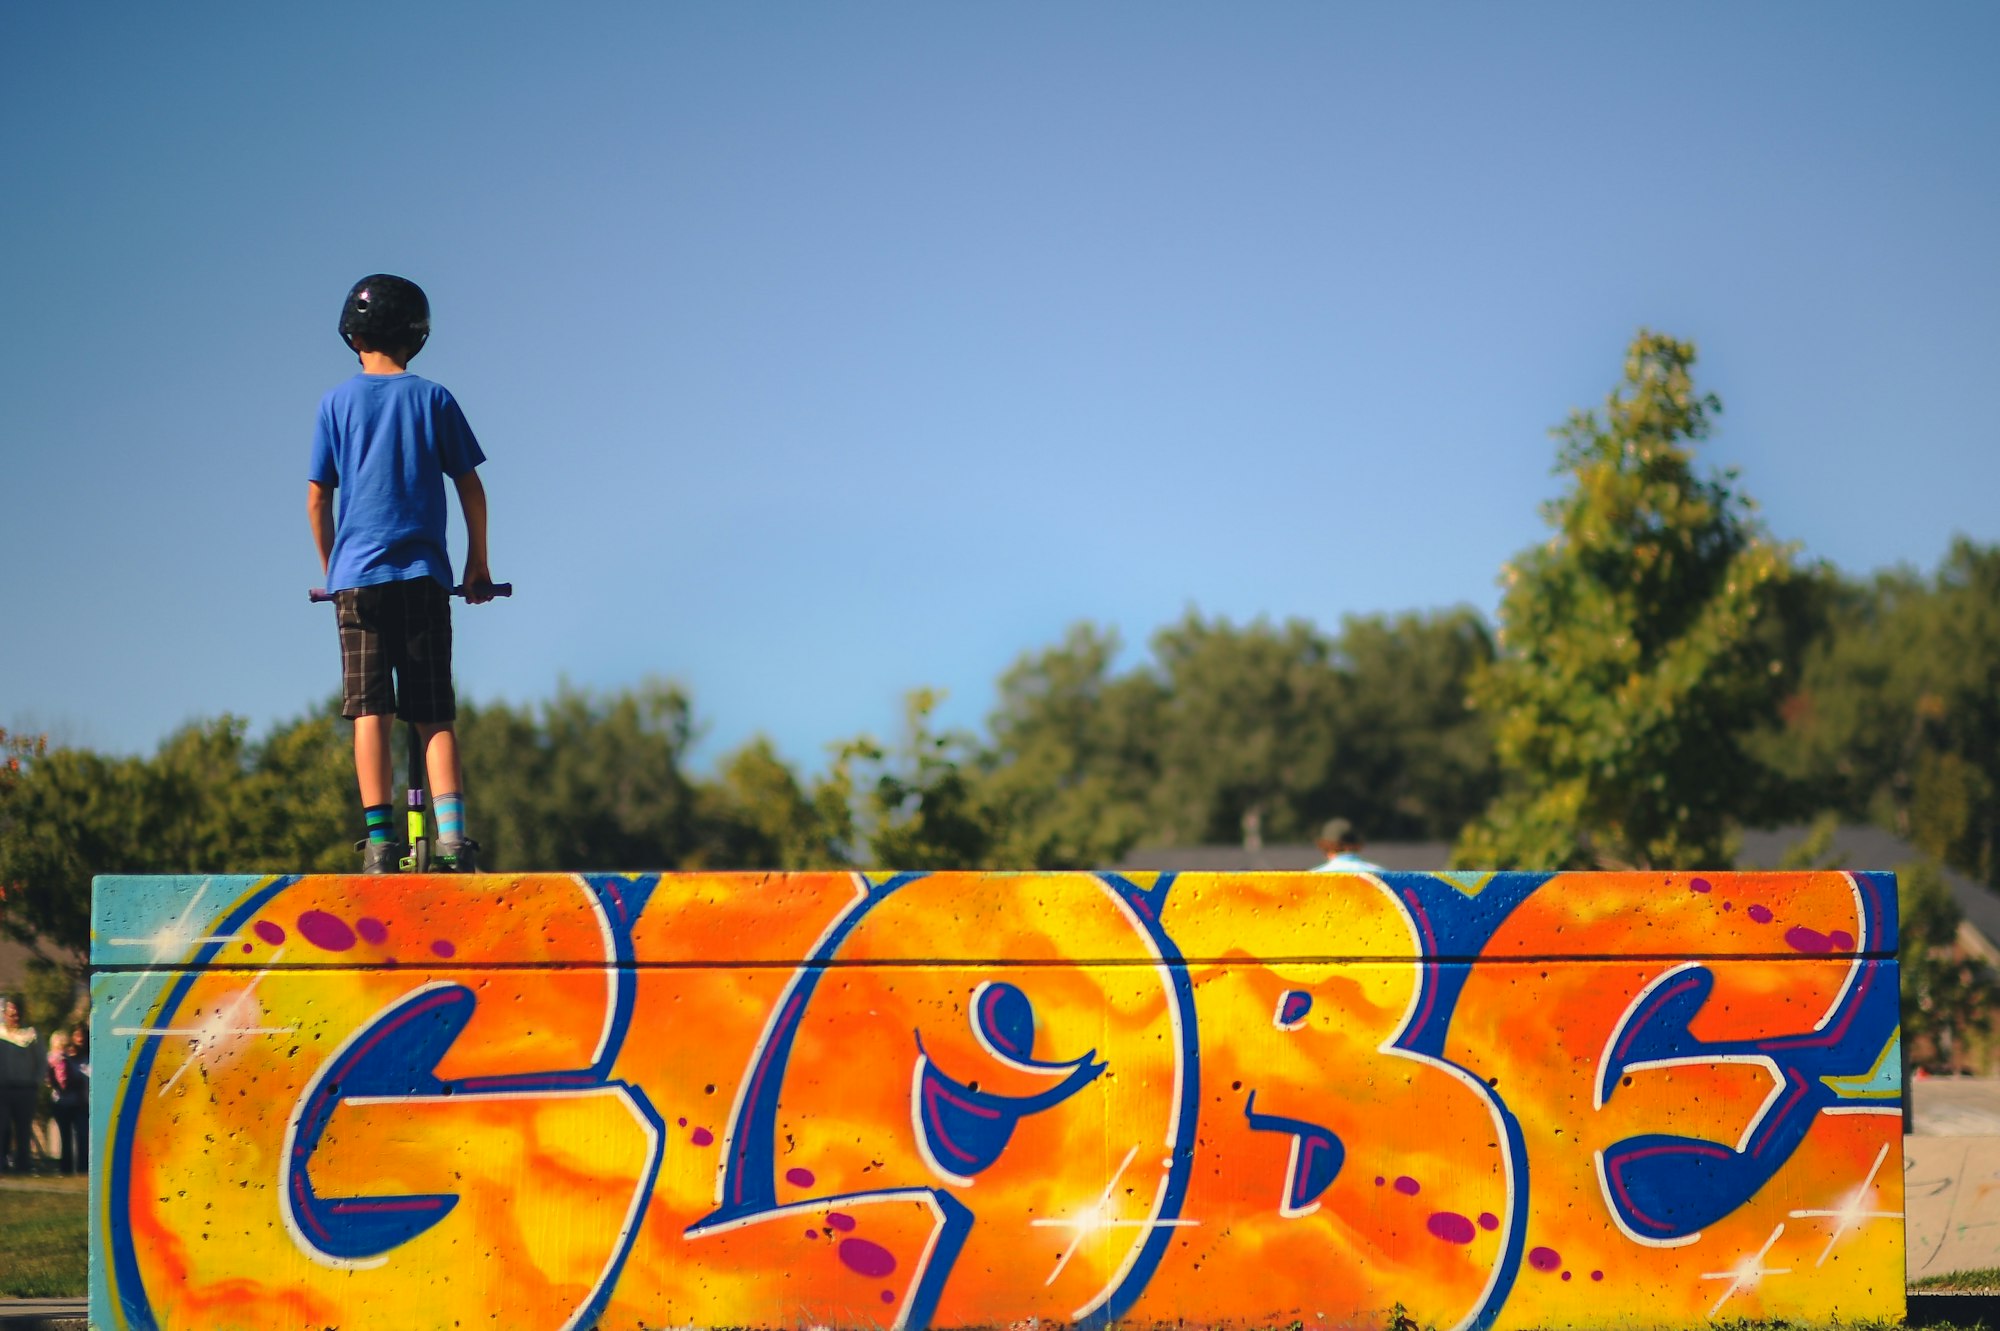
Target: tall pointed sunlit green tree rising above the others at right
[1639, 649]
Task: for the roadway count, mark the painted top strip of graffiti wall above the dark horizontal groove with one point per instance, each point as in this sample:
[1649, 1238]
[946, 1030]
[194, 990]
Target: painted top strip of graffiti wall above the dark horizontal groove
[985, 918]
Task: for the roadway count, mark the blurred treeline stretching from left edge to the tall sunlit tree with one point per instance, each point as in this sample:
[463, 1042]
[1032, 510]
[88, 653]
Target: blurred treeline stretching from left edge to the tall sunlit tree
[1077, 764]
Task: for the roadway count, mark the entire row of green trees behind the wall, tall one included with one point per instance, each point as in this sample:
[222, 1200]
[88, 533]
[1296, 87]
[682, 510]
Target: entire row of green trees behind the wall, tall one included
[1663, 672]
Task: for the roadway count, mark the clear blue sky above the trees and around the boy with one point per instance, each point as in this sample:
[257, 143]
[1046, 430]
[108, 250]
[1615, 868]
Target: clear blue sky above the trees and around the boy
[827, 351]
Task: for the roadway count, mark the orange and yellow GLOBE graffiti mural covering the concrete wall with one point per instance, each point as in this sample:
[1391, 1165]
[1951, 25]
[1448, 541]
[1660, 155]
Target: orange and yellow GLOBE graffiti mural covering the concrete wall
[953, 1100]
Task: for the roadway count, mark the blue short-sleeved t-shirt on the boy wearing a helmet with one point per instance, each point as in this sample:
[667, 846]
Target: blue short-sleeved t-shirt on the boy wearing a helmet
[389, 441]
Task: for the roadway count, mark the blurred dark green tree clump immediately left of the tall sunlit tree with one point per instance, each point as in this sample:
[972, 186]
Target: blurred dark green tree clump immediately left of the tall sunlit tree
[1225, 722]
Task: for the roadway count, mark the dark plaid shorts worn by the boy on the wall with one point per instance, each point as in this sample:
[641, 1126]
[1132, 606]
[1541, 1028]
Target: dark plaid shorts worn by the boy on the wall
[403, 631]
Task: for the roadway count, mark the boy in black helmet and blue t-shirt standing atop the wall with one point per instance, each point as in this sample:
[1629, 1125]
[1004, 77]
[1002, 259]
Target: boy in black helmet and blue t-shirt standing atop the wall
[391, 439]
